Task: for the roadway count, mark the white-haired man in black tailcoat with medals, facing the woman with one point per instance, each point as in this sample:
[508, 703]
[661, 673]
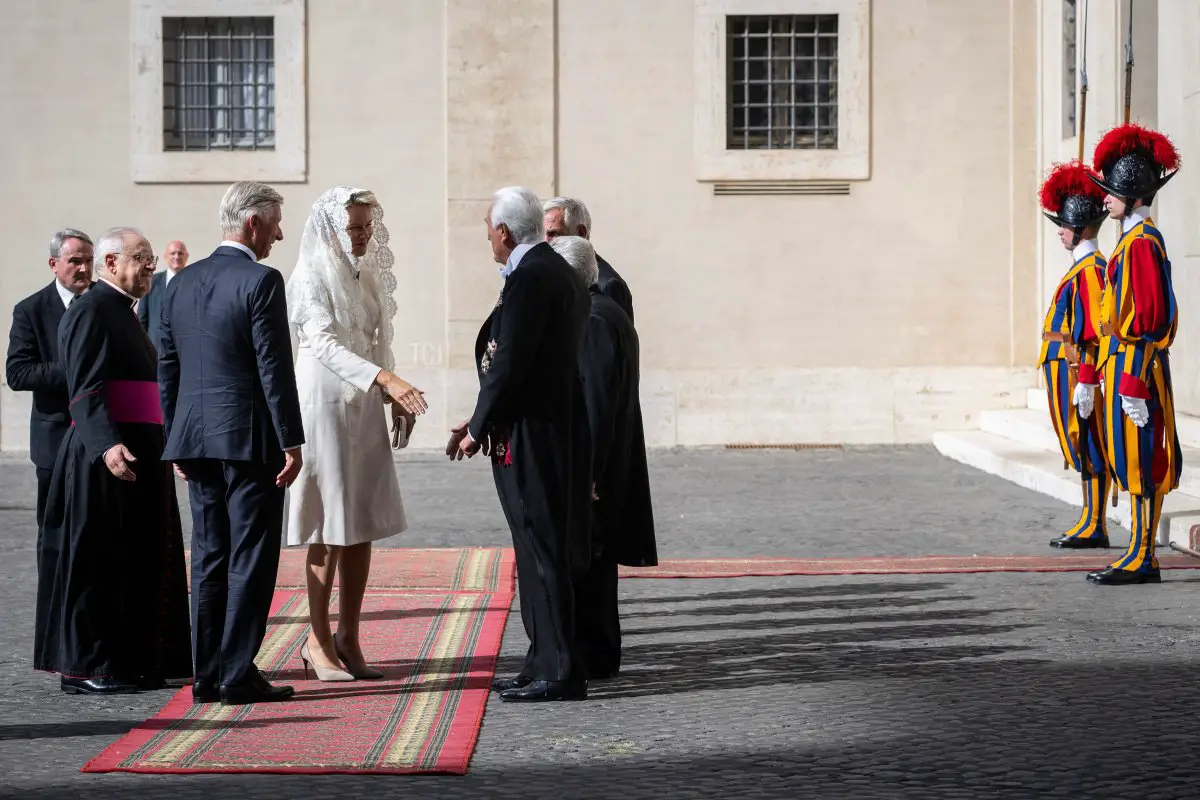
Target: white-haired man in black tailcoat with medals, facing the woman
[532, 418]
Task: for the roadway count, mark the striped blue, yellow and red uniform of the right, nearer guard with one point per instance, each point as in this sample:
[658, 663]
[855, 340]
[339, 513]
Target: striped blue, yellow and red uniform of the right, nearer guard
[1138, 324]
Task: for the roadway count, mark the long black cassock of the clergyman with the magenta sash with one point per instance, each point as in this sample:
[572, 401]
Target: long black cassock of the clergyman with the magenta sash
[116, 604]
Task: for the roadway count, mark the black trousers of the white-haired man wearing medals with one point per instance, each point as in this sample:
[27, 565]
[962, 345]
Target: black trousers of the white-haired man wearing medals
[544, 586]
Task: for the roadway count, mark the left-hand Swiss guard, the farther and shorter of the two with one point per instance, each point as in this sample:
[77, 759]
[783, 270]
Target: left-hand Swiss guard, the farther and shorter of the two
[1071, 345]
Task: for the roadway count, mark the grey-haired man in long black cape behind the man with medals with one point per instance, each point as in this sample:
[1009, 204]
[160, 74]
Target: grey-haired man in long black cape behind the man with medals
[622, 516]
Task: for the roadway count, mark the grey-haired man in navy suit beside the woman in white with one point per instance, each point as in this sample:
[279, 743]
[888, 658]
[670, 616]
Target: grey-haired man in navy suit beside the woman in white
[233, 430]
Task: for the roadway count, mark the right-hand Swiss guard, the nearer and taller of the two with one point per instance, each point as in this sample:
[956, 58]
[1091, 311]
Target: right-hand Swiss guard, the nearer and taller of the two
[1138, 324]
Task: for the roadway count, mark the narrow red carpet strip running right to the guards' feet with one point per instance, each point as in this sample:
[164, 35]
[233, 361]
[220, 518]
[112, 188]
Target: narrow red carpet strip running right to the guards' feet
[734, 568]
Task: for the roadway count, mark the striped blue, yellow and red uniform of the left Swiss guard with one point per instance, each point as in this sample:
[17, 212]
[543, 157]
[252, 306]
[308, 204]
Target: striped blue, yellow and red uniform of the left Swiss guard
[1071, 353]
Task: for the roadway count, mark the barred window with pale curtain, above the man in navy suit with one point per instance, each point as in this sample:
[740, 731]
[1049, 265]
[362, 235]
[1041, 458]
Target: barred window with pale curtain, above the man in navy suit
[219, 83]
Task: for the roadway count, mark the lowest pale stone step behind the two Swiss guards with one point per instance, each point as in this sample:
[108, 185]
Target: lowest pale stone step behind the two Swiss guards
[1041, 471]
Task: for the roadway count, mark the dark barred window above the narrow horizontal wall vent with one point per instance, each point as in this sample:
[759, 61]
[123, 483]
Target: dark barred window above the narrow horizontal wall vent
[783, 82]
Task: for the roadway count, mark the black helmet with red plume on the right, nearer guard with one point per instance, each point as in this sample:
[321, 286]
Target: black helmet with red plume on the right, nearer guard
[1136, 163]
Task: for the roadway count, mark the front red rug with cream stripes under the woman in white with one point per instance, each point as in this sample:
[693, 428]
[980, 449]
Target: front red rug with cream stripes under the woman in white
[430, 718]
